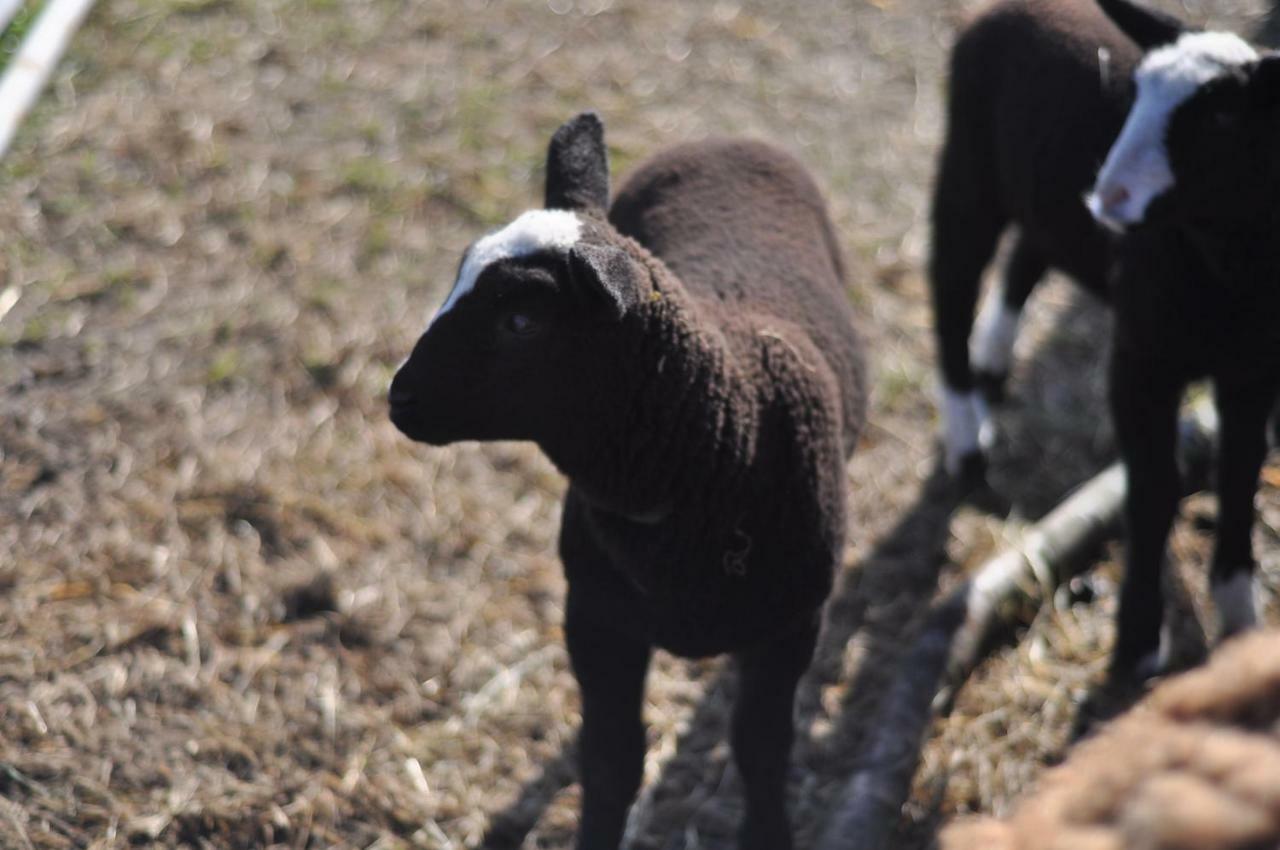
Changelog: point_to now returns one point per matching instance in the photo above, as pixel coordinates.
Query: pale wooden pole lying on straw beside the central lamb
(956, 634)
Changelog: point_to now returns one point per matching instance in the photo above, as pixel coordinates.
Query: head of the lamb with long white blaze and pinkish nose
(1201, 139)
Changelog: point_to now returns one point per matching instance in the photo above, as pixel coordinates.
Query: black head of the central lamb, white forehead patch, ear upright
(534, 313)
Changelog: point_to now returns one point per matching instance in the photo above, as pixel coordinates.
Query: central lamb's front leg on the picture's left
(611, 670)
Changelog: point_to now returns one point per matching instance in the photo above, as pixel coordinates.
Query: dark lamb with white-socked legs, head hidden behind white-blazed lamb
(1039, 92)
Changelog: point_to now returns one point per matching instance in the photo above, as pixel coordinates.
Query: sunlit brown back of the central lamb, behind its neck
(746, 230)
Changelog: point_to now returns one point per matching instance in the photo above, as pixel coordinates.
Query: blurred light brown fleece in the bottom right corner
(1195, 767)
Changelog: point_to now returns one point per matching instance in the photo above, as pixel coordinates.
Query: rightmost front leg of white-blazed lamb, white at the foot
(1244, 446)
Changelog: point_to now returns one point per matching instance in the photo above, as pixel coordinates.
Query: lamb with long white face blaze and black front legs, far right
(1194, 186)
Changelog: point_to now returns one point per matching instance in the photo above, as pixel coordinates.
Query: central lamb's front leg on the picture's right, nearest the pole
(764, 730)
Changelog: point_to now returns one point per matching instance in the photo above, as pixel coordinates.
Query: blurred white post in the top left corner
(35, 62)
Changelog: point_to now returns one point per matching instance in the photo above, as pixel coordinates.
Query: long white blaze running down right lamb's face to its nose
(1137, 168)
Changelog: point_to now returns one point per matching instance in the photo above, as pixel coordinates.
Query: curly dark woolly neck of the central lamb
(680, 415)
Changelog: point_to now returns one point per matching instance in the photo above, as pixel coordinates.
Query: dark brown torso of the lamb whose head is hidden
(1039, 92)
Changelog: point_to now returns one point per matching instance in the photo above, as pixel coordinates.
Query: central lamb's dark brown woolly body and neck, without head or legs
(742, 383)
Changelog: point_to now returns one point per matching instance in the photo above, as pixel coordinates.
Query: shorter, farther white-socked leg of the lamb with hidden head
(991, 350)
